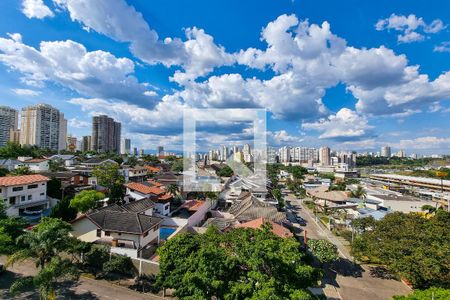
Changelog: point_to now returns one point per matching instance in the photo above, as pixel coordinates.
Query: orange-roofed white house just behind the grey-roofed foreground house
(144, 190)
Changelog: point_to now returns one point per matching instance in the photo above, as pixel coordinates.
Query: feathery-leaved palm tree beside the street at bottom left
(44, 244)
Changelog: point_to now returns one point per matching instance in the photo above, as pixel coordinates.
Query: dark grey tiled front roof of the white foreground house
(121, 221)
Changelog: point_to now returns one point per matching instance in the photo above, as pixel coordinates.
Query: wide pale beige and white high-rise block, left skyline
(44, 126)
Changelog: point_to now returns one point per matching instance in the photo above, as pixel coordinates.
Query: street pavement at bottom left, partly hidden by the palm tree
(85, 288)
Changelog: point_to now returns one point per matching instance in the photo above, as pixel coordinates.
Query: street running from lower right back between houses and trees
(348, 281)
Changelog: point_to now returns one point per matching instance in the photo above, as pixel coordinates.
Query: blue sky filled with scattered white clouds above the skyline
(353, 75)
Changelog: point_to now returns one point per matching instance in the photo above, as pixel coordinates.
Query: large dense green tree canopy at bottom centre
(239, 264)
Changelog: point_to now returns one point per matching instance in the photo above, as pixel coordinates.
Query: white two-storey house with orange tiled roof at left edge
(24, 195)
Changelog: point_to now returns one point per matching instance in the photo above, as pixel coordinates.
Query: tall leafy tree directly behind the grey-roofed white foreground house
(108, 175)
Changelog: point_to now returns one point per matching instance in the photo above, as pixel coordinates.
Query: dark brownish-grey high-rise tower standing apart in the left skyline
(105, 134)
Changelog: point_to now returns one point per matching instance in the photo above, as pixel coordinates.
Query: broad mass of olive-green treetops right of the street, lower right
(410, 245)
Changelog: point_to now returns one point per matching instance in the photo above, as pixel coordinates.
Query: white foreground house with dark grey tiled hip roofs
(128, 230)
